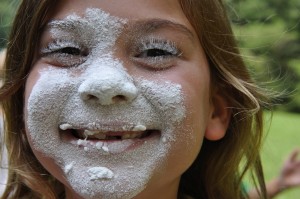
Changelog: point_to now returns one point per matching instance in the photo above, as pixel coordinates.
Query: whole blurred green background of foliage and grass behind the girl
(268, 32)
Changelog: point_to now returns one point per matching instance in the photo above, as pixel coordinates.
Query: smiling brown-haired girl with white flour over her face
(128, 99)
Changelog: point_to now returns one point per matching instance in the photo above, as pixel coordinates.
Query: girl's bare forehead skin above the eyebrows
(125, 9)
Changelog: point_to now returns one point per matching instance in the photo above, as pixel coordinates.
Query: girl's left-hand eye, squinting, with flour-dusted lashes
(63, 53)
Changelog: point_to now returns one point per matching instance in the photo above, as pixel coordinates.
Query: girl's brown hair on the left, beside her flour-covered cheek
(27, 178)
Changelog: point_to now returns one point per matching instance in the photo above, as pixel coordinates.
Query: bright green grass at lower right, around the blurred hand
(283, 136)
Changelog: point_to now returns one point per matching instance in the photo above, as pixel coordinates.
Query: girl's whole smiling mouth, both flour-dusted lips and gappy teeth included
(107, 136)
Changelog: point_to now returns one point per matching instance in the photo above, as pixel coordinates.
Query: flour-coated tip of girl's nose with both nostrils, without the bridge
(108, 89)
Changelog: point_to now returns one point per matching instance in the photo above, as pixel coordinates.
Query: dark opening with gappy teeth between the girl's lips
(139, 132)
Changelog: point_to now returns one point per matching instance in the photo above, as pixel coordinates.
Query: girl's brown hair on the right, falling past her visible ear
(218, 170)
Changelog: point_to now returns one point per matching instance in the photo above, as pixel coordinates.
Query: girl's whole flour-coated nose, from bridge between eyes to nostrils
(107, 82)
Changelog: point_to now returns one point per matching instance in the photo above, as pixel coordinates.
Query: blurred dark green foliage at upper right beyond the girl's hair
(268, 33)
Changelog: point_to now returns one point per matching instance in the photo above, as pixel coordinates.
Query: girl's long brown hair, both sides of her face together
(220, 166)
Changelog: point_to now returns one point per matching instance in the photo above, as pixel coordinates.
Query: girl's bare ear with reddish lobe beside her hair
(219, 118)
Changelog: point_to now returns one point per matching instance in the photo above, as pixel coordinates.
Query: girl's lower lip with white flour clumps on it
(107, 147)
